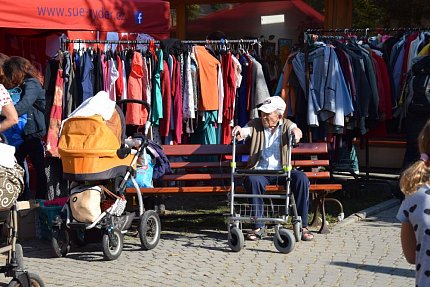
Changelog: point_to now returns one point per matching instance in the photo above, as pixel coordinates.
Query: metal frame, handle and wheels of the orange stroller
(112, 221)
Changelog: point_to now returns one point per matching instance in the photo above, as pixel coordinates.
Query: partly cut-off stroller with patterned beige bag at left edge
(11, 185)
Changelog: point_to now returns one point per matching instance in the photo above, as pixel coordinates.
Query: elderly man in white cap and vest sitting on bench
(268, 151)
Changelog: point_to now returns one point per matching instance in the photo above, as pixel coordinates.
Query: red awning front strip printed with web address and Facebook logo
(139, 16)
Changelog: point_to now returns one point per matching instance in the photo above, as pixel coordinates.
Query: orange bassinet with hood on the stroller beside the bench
(88, 148)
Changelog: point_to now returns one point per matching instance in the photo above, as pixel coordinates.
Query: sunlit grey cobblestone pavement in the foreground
(363, 253)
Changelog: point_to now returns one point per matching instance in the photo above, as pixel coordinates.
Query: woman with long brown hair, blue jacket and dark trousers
(19, 72)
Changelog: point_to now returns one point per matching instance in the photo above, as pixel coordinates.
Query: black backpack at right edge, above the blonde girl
(420, 101)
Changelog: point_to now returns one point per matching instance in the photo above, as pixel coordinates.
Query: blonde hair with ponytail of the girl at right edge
(418, 173)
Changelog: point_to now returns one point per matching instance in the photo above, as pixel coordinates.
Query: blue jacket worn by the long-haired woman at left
(33, 104)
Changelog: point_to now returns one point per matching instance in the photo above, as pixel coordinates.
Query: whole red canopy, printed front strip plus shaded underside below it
(27, 26)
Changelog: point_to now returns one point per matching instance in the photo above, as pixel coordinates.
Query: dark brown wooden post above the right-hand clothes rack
(338, 14)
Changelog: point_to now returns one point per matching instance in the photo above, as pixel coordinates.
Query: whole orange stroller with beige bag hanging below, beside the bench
(96, 160)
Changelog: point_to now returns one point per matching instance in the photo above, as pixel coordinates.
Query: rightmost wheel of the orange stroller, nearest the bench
(149, 229)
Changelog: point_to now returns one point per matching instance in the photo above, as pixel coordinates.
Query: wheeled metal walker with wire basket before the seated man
(276, 208)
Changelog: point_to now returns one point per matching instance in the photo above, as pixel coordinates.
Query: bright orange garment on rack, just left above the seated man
(208, 74)
